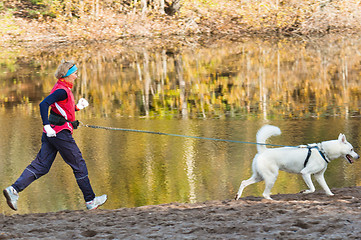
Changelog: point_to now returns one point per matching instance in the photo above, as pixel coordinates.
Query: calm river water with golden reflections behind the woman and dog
(310, 88)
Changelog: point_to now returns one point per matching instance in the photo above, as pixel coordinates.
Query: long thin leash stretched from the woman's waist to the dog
(178, 135)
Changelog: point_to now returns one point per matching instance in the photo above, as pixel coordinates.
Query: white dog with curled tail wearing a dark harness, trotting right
(305, 159)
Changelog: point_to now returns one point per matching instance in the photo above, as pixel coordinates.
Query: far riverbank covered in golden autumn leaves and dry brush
(196, 21)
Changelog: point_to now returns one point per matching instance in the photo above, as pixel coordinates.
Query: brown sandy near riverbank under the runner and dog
(289, 216)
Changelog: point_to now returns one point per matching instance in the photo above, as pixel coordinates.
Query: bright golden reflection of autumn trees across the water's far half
(285, 78)
